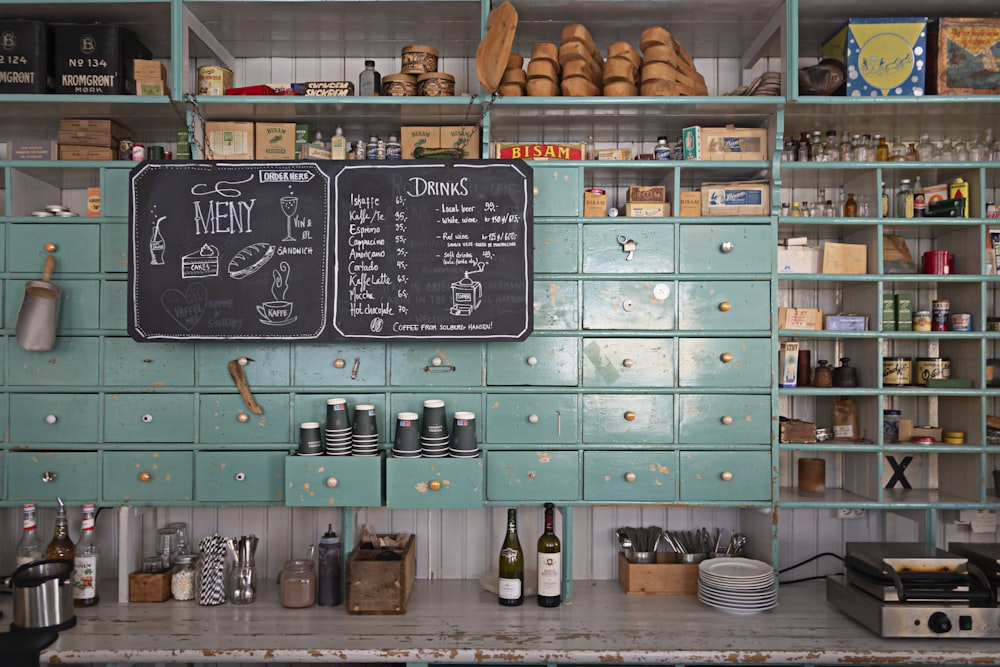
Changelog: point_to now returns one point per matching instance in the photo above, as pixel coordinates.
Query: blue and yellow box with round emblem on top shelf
(883, 56)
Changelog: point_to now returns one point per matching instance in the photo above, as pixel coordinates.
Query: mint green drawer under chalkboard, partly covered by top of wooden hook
(270, 365)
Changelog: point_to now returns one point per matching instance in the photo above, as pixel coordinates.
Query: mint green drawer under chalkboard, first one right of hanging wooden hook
(339, 365)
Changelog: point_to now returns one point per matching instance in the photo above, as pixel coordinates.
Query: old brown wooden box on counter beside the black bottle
(376, 586)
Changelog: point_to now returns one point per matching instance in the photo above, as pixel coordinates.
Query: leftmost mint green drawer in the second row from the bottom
(48, 418)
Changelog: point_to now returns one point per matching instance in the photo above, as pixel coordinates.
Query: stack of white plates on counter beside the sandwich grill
(737, 585)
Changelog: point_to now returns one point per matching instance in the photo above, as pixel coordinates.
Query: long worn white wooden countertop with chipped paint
(456, 621)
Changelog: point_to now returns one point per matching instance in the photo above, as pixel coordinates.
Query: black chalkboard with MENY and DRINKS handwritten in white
(330, 250)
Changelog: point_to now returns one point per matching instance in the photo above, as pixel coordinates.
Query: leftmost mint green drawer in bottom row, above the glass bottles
(45, 476)
